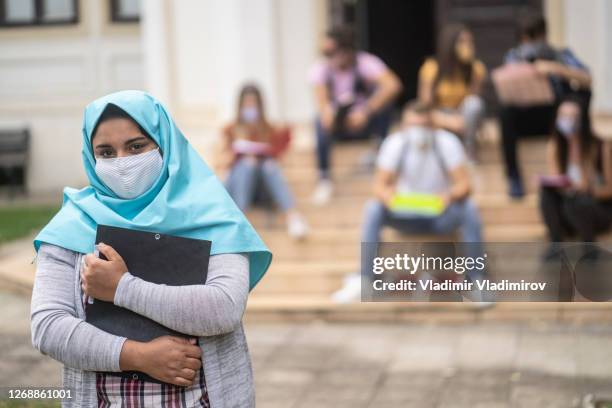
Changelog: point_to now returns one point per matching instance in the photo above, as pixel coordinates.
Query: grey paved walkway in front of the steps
(371, 365)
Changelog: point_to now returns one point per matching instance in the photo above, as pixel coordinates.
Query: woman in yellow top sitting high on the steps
(452, 81)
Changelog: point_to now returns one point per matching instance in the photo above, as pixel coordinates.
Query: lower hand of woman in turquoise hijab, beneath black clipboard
(170, 359)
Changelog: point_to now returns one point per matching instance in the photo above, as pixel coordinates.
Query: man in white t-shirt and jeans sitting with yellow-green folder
(419, 159)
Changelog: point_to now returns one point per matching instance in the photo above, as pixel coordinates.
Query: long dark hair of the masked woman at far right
(589, 144)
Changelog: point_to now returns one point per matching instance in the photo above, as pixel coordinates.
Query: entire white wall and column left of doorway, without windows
(192, 54)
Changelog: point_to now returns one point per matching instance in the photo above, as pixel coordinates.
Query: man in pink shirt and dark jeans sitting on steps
(353, 91)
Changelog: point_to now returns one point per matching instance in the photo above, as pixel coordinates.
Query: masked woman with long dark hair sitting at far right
(576, 197)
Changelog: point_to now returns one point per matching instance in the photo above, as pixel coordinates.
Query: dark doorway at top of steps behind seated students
(403, 32)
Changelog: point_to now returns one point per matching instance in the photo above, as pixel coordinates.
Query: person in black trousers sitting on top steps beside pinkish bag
(567, 75)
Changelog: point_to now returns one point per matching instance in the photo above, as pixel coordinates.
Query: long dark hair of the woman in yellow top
(446, 56)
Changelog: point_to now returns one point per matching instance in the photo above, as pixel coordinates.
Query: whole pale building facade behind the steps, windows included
(195, 54)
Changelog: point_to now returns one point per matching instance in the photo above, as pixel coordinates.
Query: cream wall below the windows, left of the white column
(49, 74)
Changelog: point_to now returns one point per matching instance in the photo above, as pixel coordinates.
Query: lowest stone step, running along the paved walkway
(295, 308)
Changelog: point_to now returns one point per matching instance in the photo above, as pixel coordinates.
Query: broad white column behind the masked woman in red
(220, 44)
